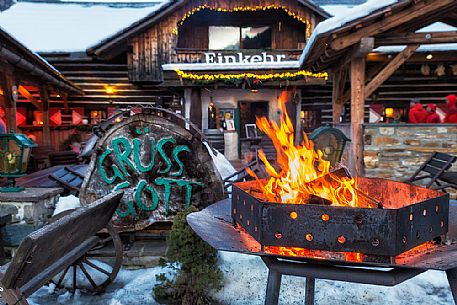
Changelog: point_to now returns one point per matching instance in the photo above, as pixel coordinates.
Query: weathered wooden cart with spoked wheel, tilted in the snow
(57, 247)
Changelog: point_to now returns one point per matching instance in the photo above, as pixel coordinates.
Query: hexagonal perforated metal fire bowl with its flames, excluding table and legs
(304, 205)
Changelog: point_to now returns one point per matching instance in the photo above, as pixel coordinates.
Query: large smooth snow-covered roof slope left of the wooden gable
(71, 26)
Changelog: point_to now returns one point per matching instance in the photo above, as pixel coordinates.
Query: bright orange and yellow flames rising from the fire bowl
(304, 172)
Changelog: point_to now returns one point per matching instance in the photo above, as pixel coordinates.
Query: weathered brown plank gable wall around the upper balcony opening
(157, 46)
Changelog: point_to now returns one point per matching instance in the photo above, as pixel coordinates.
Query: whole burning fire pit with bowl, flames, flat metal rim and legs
(308, 220)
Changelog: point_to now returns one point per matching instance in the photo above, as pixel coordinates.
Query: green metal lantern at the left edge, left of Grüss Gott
(15, 151)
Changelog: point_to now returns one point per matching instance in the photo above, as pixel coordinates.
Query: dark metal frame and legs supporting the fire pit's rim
(390, 278)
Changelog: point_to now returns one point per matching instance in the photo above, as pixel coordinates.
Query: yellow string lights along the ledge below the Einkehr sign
(262, 77)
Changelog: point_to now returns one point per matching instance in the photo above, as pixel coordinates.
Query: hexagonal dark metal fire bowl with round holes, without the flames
(410, 216)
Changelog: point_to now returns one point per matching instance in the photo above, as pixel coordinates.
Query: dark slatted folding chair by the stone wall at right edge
(433, 169)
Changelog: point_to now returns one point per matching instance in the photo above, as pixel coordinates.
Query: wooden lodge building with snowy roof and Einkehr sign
(221, 63)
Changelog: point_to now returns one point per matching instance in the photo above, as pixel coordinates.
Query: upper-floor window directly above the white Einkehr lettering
(235, 38)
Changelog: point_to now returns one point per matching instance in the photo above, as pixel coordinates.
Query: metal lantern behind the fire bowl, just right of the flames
(331, 141)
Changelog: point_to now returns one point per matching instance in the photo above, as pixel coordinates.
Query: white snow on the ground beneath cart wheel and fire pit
(245, 284)
